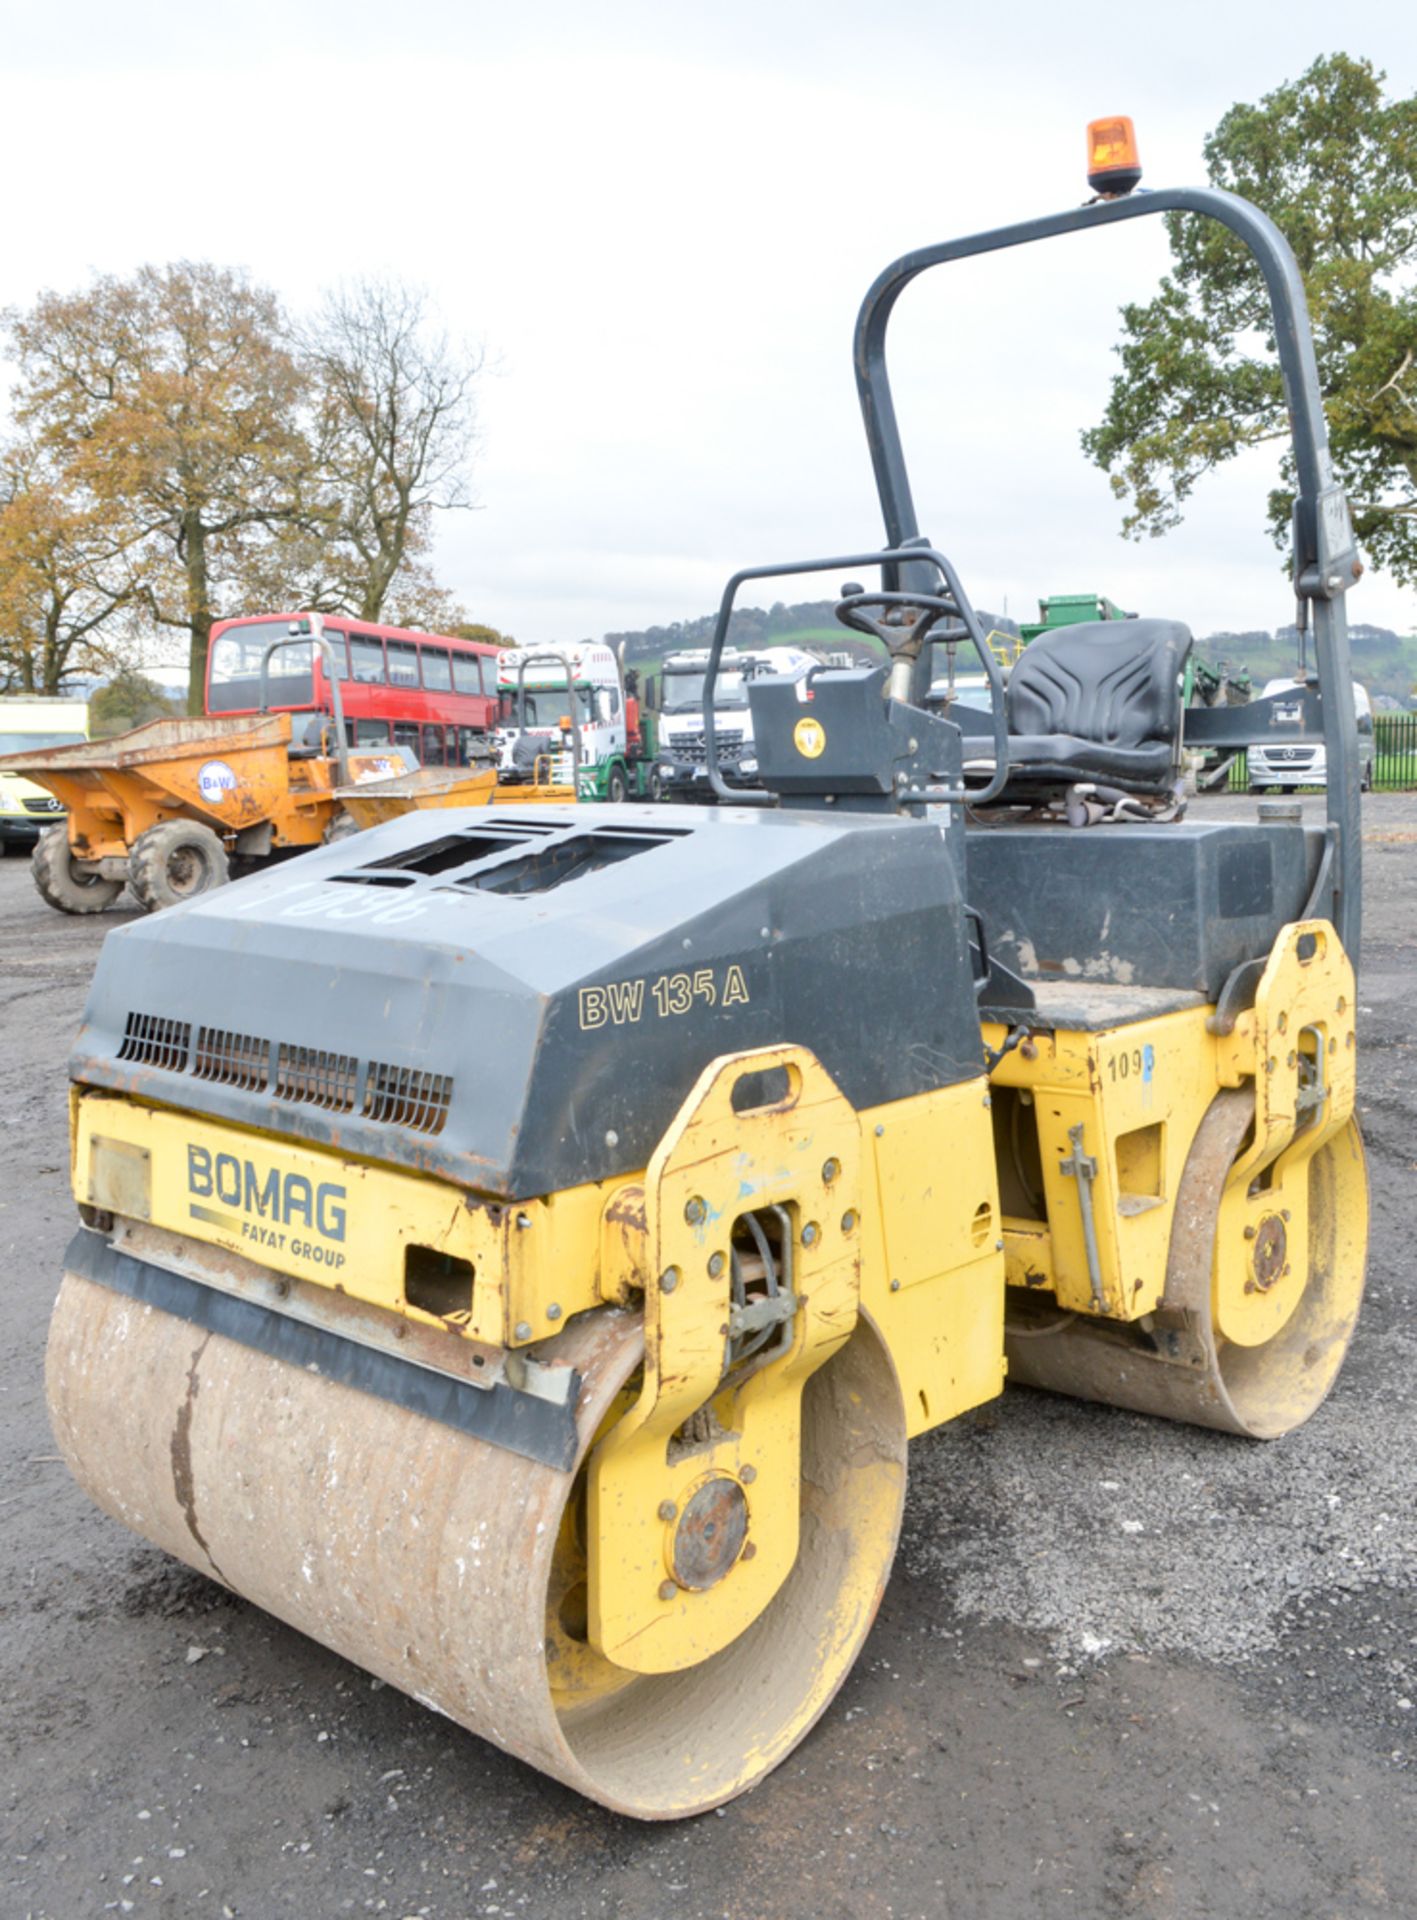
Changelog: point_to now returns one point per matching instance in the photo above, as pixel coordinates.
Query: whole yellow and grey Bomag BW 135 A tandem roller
(519, 1245)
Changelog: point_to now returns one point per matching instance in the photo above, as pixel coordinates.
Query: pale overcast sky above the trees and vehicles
(661, 222)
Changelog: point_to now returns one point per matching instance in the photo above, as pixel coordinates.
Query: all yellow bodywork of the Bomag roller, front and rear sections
(896, 1218)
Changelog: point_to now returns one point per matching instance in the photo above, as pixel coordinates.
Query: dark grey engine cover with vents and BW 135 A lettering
(523, 999)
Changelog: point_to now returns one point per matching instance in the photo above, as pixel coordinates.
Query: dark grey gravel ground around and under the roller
(1122, 1669)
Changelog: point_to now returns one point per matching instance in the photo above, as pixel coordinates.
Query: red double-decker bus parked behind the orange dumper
(425, 692)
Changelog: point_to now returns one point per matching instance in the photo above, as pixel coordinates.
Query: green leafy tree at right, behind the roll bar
(1335, 166)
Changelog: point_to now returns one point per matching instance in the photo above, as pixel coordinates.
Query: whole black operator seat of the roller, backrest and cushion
(1099, 702)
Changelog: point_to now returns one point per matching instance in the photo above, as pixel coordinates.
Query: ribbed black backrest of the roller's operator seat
(1113, 683)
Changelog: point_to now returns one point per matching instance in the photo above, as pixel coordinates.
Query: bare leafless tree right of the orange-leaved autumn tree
(395, 439)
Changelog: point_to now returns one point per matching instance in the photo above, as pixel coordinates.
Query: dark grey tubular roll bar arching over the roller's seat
(1326, 554)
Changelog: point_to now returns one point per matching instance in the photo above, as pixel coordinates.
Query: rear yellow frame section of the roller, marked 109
(1132, 1099)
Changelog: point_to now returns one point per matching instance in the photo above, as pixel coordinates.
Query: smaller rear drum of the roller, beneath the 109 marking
(1261, 1297)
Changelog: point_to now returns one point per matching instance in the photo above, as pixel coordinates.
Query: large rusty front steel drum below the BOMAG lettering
(456, 1570)
